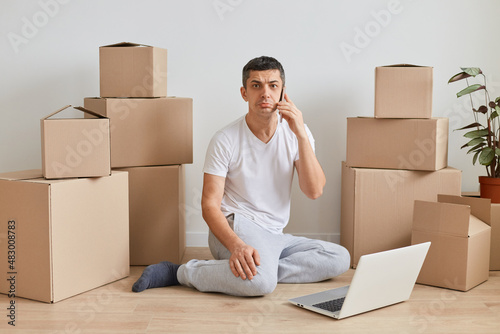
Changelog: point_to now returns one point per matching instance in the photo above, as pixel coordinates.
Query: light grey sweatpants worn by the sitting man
(284, 258)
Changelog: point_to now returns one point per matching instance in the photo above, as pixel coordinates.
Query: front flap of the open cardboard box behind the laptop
(442, 218)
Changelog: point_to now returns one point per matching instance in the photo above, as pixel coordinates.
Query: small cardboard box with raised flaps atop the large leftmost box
(75, 147)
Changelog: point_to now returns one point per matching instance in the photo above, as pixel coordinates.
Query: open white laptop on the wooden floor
(380, 279)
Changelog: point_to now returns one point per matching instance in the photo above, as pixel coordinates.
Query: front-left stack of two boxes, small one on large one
(68, 231)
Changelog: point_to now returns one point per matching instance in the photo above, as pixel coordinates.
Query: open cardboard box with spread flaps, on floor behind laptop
(459, 255)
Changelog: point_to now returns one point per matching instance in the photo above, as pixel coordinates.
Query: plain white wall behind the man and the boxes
(49, 59)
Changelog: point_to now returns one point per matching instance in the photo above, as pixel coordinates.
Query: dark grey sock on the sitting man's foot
(156, 276)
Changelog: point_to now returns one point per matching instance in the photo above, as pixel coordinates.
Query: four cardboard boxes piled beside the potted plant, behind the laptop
(397, 189)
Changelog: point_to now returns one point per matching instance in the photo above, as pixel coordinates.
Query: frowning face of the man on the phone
(263, 91)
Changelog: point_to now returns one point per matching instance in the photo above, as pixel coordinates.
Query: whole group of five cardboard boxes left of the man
(111, 189)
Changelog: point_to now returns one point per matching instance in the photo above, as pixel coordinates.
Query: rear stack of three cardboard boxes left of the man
(151, 138)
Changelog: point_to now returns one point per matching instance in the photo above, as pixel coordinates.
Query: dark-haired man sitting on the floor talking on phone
(247, 185)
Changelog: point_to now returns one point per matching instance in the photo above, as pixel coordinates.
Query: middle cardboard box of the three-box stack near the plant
(413, 144)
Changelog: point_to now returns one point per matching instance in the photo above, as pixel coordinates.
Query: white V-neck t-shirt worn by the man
(258, 175)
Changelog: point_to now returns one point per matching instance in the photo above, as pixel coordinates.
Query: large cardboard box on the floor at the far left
(69, 235)
